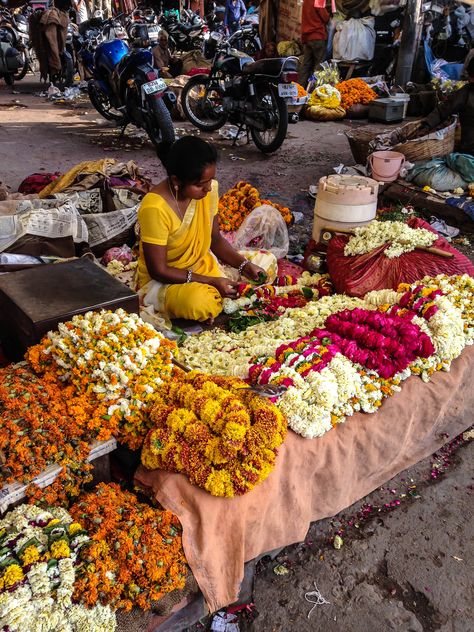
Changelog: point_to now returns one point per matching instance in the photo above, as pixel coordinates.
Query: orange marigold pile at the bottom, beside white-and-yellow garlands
(135, 555)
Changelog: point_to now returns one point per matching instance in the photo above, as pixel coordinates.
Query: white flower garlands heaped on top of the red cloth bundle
(398, 237)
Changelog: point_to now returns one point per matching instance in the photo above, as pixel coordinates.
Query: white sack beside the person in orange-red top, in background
(354, 40)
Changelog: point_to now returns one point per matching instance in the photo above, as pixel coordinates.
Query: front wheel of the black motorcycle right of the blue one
(203, 109)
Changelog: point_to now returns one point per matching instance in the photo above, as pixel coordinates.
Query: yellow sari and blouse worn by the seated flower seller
(188, 245)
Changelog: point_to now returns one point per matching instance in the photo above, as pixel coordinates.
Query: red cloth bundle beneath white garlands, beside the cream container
(357, 275)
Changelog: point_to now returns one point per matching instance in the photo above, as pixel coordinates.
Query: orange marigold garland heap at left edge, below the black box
(44, 422)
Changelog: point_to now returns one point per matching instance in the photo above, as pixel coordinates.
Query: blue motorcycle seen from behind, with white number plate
(127, 89)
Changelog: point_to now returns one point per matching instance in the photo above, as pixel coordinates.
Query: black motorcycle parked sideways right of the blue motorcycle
(244, 92)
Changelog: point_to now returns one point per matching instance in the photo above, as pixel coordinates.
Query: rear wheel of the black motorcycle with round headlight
(270, 104)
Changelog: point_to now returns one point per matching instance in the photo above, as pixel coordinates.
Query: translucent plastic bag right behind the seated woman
(264, 228)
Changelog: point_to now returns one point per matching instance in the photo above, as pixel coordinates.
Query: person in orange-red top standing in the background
(314, 35)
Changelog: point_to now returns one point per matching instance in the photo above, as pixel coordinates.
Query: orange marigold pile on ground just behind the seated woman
(240, 201)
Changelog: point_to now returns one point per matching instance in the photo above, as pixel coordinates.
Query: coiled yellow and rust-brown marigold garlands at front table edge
(217, 432)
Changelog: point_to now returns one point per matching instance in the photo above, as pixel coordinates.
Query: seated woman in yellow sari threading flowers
(180, 241)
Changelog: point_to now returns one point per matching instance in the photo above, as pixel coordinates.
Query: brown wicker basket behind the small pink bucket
(433, 145)
